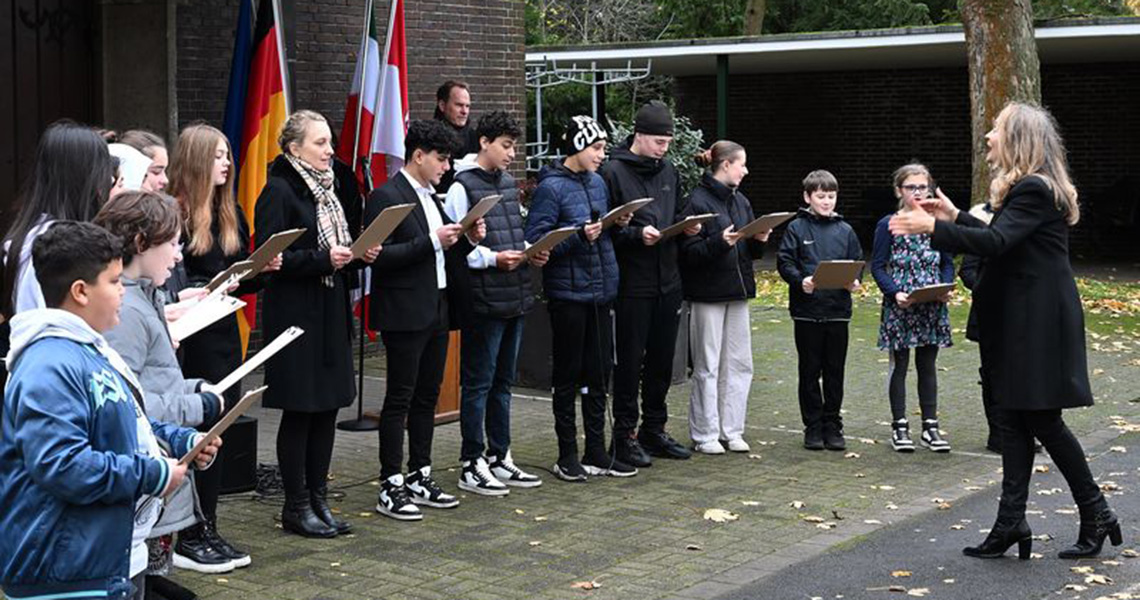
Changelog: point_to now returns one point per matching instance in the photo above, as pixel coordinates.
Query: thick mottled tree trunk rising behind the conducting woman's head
(1004, 68)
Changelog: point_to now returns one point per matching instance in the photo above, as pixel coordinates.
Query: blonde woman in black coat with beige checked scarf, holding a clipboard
(312, 379)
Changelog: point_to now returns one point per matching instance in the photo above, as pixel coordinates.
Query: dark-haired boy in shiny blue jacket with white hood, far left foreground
(77, 449)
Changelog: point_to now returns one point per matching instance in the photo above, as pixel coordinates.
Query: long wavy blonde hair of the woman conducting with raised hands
(1031, 145)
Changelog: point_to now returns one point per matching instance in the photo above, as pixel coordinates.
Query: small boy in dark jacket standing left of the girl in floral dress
(821, 317)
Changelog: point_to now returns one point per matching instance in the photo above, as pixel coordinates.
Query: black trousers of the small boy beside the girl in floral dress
(823, 350)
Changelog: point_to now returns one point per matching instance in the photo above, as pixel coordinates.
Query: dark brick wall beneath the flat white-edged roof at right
(861, 126)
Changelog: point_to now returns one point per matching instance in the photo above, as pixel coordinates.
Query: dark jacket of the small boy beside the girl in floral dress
(810, 240)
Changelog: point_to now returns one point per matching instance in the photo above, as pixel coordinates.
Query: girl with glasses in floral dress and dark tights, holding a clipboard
(900, 266)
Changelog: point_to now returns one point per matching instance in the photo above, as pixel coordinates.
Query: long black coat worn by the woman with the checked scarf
(315, 372)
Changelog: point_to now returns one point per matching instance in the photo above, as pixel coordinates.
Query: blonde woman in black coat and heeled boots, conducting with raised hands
(1031, 325)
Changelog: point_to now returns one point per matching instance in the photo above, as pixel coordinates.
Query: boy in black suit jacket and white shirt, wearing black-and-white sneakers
(421, 272)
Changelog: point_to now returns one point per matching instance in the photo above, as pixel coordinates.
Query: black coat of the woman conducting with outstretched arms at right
(1031, 325)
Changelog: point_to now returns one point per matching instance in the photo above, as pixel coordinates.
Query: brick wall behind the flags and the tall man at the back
(481, 42)
